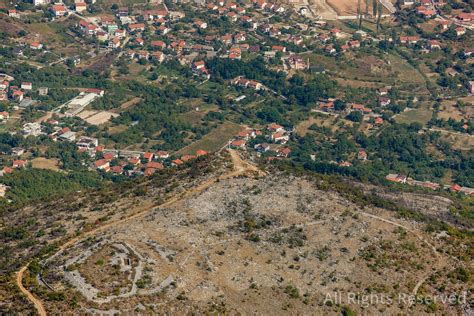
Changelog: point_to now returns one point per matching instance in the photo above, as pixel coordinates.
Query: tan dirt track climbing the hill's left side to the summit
(241, 167)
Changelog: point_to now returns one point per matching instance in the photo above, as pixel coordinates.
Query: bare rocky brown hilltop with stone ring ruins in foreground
(274, 245)
